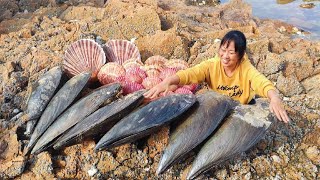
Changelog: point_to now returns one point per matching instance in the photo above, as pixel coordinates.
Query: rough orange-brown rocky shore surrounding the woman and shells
(34, 41)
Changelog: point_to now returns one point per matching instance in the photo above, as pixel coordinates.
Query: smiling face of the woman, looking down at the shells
(228, 56)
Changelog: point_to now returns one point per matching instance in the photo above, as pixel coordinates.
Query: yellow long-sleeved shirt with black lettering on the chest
(245, 82)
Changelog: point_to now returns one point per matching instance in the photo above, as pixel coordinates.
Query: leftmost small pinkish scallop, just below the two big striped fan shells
(111, 72)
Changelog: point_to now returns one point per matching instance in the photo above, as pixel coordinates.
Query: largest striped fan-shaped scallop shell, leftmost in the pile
(83, 55)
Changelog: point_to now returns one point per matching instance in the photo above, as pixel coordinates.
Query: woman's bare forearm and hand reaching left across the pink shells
(166, 85)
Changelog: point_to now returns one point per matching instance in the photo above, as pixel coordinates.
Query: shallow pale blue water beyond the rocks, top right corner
(289, 11)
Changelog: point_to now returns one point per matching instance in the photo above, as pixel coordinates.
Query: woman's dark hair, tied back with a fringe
(239, 40)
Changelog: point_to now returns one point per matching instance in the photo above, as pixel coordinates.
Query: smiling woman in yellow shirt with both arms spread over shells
(229, 73)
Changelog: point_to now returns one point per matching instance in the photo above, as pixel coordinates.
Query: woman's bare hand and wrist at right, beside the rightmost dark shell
(276, 106)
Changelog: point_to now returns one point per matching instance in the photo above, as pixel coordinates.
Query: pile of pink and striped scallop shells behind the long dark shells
(120, 61)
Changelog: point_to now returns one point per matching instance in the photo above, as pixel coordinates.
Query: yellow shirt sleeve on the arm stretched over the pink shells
(195, 74)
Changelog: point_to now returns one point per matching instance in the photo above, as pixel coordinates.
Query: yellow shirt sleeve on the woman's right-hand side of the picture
(259, 83)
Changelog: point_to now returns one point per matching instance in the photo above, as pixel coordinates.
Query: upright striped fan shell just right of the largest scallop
(121, 51)
